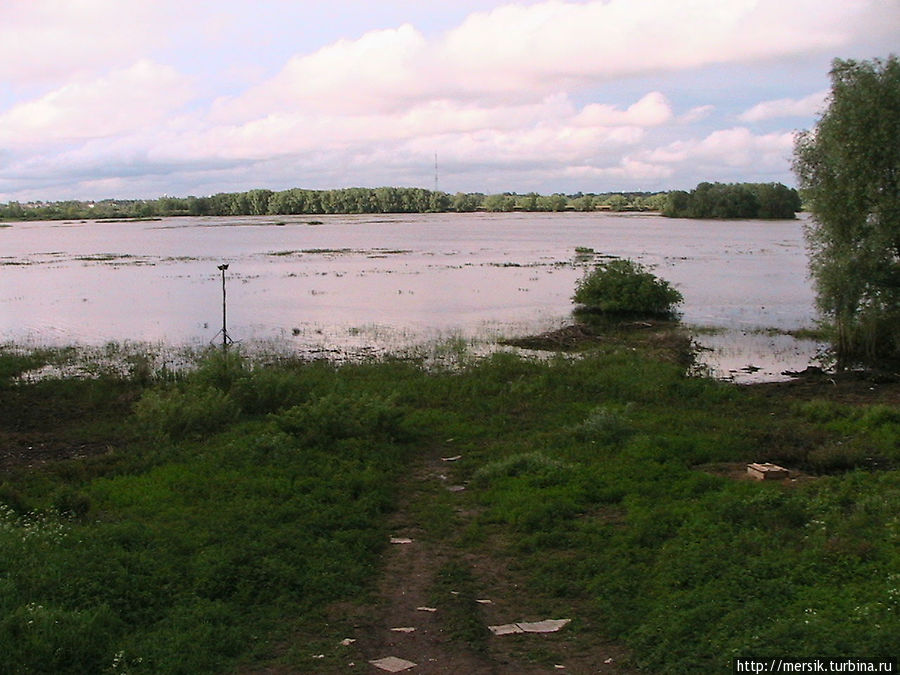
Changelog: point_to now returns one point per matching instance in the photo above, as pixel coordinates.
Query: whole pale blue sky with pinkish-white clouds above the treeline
(144, 98)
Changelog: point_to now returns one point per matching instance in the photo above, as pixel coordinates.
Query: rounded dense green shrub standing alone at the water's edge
(625, 287)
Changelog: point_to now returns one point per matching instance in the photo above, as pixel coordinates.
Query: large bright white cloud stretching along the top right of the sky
(518, 53)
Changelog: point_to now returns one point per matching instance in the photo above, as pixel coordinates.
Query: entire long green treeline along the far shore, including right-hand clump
(298, 201)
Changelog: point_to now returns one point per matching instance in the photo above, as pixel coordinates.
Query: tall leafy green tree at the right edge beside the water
(849, 167)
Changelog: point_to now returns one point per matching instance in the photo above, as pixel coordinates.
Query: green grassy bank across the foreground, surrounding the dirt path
(199, 523)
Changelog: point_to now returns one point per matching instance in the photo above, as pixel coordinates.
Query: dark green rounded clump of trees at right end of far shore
(734, 200)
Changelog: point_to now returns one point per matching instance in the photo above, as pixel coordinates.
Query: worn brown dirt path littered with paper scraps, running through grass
(454, 637)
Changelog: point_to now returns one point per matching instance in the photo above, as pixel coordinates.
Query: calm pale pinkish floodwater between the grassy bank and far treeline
(388, 282)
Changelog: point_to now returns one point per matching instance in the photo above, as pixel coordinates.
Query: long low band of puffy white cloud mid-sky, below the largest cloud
(552, 130)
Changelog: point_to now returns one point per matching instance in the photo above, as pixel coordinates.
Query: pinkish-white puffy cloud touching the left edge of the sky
(124, 101)
